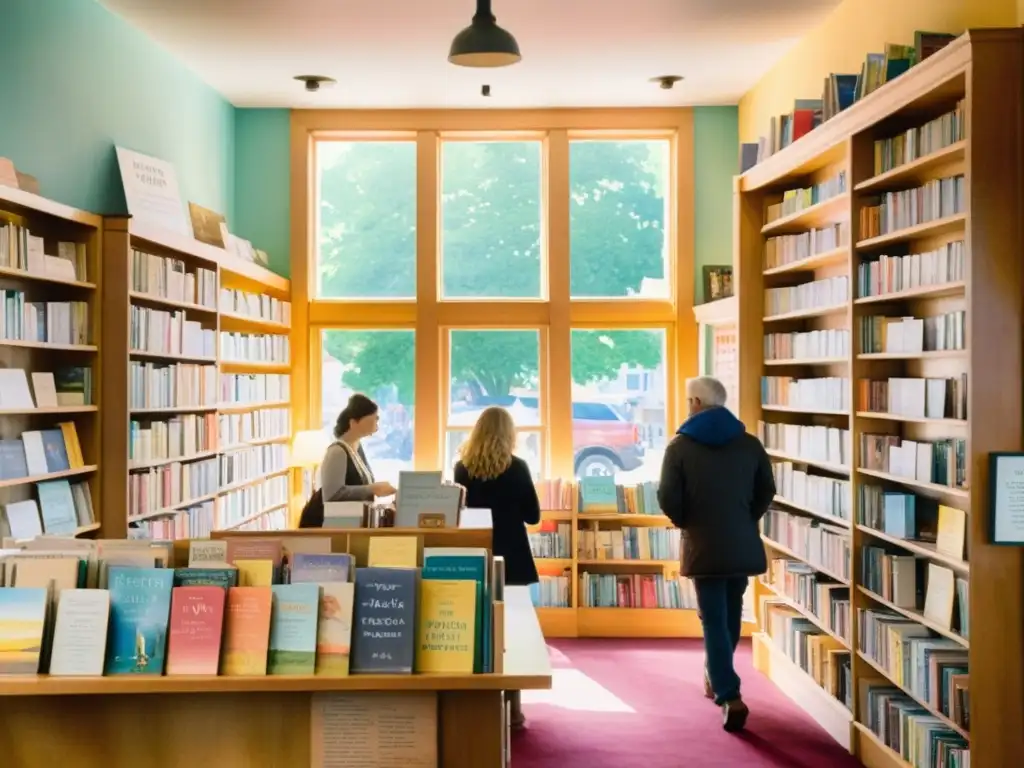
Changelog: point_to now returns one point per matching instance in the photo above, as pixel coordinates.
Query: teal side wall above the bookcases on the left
(77, 80)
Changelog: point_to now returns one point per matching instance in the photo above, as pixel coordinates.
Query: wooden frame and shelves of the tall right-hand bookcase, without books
(983, 71)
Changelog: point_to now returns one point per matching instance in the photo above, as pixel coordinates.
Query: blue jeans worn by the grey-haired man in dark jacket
(721, 605)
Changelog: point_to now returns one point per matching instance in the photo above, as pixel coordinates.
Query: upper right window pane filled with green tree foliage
(618, 219)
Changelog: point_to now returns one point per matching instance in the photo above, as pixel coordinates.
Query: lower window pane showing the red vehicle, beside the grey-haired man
(619, 404)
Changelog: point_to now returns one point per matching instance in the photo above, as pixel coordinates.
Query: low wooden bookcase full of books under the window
(574, 548)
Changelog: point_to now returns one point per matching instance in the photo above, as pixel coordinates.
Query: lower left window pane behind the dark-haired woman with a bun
(381, 365)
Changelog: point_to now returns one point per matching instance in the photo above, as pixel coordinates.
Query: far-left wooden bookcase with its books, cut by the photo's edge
(24, 218)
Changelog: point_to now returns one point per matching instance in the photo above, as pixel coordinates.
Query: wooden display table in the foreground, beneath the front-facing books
(259, 722)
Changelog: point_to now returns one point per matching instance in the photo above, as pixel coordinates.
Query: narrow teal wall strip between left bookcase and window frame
(263, 176)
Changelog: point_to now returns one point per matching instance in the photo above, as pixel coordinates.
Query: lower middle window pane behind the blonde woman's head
(495, 368)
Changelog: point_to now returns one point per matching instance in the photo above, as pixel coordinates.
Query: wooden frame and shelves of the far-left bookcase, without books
(55, 224)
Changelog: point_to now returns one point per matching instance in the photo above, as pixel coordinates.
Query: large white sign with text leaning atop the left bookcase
(152, 192)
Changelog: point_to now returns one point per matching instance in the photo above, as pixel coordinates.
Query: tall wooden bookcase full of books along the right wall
(813, 308)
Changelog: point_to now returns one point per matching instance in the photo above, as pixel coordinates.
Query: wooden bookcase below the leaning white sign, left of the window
(209, 506)
